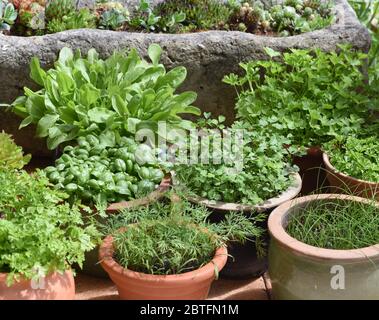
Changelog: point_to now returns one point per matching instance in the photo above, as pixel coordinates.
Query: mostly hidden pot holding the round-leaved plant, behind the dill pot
(91, 265)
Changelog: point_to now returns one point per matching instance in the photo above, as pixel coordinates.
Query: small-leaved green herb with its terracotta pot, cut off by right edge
(352, 165)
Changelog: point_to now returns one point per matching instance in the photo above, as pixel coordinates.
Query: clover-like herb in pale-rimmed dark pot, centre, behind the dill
(257, 180)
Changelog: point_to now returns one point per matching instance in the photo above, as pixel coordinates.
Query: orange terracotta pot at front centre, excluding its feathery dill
(132, 285)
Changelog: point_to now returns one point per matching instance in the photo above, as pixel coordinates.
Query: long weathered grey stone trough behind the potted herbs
(208, 56)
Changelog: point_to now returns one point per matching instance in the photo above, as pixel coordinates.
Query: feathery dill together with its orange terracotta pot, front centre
(167, 250)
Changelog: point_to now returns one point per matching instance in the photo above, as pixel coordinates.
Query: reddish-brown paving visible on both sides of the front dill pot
(91, 288)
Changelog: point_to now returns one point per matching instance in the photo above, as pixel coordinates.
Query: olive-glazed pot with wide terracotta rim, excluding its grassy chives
(300, 271)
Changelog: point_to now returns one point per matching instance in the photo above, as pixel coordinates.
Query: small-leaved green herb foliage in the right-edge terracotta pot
(356, 157)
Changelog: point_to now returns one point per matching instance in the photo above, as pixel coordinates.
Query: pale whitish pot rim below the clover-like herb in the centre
(286, 195)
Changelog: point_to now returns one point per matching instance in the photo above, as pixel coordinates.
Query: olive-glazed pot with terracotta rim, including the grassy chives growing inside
(325, 247)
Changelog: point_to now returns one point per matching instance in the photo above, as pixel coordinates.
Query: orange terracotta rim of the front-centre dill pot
(106, 253)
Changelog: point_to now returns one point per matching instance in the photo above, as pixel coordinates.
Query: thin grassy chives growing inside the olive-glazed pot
(336, 224)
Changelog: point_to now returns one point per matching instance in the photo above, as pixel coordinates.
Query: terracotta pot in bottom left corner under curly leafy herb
(55, 286)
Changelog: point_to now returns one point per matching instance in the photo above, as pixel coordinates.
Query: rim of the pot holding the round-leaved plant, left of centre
(152, 197)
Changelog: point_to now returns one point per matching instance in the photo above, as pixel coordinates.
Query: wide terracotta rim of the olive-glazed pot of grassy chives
(277, 231)
